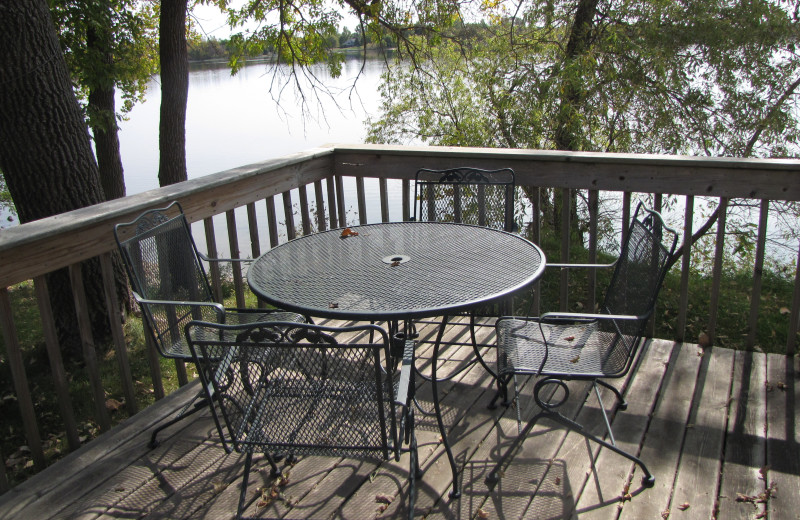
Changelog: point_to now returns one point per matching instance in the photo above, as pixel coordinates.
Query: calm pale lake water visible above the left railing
(236, 120)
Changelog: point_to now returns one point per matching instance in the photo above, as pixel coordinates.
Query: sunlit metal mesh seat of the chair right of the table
(580, 350)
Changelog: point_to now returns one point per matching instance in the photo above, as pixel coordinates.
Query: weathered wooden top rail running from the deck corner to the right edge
(773, 179)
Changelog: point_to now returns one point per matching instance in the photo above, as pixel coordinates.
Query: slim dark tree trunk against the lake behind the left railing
(174, 92)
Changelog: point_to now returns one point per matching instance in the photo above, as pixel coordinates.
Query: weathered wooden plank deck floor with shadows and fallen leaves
(718, 429)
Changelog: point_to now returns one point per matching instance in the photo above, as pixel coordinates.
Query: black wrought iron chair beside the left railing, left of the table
(170, 285)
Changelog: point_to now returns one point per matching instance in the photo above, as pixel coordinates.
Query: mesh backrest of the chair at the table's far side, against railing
(466, 195)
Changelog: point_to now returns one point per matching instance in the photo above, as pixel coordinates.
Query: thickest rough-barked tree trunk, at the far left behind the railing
(45, 150)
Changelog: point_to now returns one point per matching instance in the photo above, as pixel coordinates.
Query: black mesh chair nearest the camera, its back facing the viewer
(306, 389)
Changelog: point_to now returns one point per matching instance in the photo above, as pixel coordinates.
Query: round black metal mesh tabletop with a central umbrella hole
(401, 270)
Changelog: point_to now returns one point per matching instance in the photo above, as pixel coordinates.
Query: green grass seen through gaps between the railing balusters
(731, 332)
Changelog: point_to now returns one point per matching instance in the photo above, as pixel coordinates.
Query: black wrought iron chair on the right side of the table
(561, 347)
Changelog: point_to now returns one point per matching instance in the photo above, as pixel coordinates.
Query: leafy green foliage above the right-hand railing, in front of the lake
(652, 76)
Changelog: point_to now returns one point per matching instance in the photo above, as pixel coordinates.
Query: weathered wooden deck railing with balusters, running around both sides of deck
(314, 182)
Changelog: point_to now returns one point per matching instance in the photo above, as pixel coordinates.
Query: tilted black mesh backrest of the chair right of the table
(640, 271)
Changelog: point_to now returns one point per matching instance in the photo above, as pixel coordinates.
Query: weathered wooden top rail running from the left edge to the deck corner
(54, 242)
